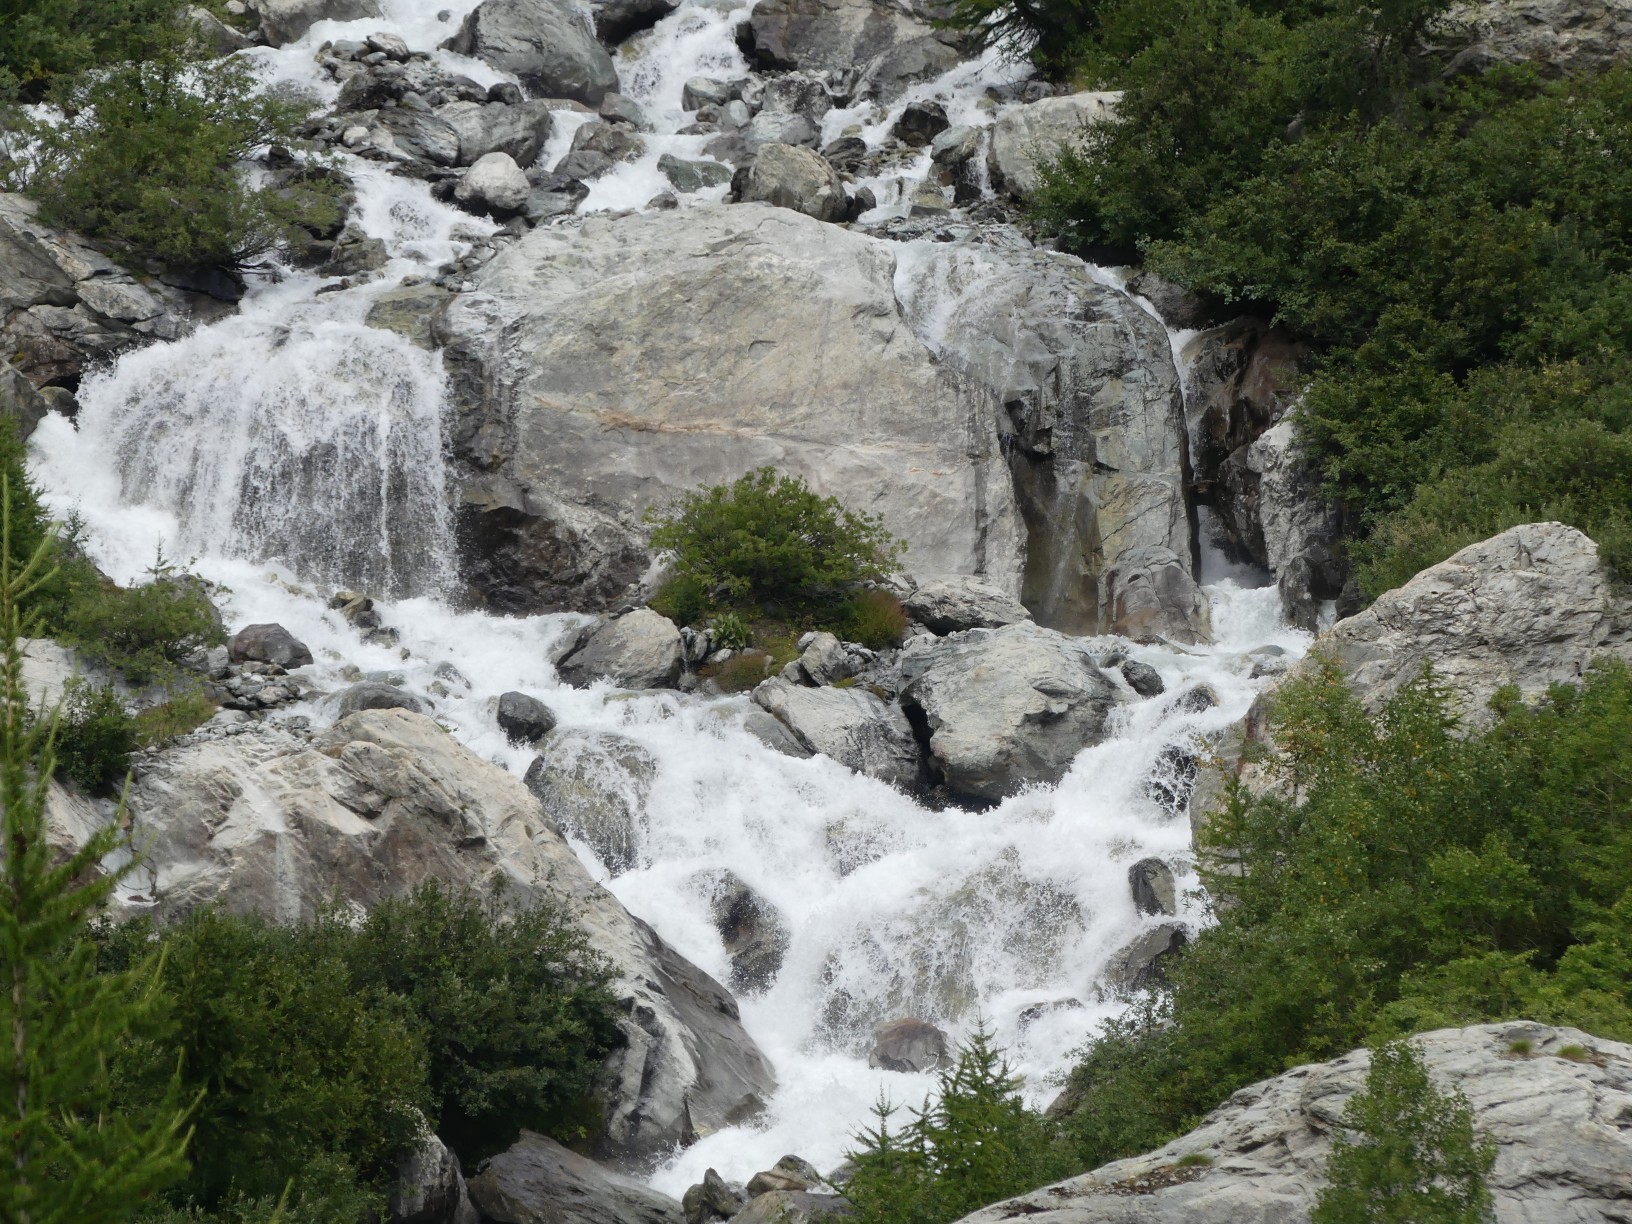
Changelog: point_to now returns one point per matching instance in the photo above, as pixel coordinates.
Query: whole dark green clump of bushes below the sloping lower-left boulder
(319, 1050)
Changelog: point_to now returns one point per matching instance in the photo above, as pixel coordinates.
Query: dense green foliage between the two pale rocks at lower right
(1427, 879)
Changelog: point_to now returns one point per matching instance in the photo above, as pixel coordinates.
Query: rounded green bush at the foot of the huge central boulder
(769, 541)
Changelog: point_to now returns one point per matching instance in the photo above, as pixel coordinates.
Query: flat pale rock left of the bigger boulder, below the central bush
(848, 725)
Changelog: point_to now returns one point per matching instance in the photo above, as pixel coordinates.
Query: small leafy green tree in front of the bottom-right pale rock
(1408, 1153)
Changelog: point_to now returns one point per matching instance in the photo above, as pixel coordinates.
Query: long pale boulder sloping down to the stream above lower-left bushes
(386, 800)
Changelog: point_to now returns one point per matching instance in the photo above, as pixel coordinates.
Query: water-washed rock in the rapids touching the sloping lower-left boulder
(595, 786)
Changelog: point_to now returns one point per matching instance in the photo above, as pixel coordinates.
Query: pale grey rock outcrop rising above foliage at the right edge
(1532, 606)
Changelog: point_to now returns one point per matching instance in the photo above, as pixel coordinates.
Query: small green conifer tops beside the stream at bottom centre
(973, 1145)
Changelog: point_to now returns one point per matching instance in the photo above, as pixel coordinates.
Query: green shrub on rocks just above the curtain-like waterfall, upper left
(148, 162)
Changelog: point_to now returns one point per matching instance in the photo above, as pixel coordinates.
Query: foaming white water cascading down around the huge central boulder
(295, 450)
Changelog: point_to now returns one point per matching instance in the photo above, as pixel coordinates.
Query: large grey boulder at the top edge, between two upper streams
(543, 45)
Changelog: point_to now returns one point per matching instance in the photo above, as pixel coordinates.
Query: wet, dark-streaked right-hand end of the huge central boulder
(1091, 401)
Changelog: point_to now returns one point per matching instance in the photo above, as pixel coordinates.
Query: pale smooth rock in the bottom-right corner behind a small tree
(1564, 1150)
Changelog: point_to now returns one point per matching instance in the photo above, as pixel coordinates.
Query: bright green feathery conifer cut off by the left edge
(66, 1155)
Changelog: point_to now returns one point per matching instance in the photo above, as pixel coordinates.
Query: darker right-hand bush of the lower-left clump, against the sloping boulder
(513, 1011)
